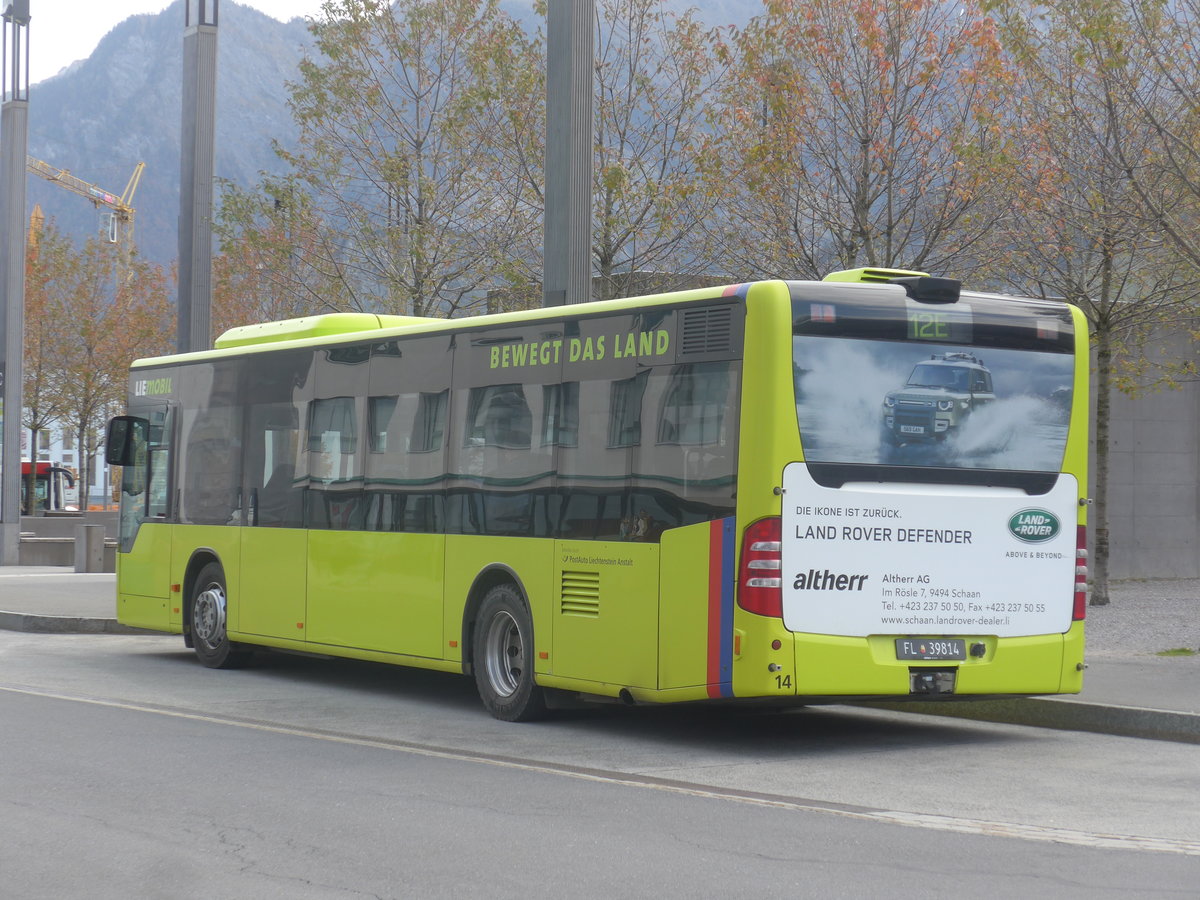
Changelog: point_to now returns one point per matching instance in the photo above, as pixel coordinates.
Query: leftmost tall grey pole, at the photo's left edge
(14, 145)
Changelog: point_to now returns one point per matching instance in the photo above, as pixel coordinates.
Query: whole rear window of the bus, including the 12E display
(904, 392)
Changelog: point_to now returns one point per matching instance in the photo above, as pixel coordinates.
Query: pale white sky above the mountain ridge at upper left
(62, 32)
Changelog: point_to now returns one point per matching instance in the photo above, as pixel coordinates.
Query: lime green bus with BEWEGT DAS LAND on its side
(863, 488)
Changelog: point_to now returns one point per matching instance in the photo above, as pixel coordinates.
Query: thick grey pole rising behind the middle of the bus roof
(569, 89)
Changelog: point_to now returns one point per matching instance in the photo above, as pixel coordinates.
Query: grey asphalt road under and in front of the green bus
(127, 770)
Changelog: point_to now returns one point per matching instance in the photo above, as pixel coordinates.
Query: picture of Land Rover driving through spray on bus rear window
(932, 405)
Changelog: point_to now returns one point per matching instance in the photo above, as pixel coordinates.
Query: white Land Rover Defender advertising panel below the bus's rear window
(927, 560)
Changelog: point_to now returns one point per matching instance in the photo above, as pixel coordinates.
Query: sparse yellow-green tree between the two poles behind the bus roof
(404, 203)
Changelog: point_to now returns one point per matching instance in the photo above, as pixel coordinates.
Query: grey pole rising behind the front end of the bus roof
(197, 159)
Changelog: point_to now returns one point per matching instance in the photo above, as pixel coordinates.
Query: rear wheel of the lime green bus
(503, 658)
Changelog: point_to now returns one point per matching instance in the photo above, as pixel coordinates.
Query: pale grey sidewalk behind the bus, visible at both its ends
(1129, 688)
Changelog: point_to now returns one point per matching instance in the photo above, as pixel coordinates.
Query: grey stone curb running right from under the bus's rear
(1065, 716)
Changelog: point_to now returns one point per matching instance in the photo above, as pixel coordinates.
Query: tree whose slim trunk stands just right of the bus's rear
(1076, 231)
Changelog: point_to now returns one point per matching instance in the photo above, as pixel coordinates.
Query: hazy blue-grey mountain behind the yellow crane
(122, 105)
